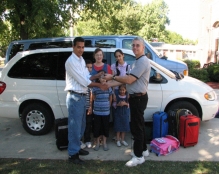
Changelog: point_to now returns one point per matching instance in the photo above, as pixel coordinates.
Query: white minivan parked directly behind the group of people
(32, 88)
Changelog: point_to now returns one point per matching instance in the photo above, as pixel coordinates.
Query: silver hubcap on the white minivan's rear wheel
(35, 120)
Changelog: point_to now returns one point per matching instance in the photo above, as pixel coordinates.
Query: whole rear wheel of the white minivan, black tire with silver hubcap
(37, 119)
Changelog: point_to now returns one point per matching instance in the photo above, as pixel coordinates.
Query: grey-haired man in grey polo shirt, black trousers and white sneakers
(137, 86)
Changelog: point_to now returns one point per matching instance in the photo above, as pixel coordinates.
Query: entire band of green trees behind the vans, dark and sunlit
(25, 19)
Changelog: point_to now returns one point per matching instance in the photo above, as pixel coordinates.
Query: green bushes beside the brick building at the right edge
(211, 73)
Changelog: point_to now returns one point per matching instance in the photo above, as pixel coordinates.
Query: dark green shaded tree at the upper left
(27, 19)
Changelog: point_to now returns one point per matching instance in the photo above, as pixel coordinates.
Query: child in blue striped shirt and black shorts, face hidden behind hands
(102, 102)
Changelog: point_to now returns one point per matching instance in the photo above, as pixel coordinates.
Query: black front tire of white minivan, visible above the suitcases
(184, 105)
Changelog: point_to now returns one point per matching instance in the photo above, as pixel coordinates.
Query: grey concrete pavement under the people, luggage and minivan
(16, 143)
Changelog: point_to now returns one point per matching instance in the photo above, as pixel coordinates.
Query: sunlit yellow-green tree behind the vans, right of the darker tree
(124, 17)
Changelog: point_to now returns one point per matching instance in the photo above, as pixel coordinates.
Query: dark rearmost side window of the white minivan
(35, 66)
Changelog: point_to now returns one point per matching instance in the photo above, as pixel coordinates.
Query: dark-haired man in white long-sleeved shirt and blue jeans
(77, 82)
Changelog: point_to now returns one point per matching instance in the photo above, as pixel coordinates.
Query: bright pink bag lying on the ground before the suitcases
(165, 145)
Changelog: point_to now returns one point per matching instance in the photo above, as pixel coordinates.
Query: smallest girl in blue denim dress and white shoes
(121, 119)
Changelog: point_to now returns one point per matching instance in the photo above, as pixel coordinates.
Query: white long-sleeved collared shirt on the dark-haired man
(77, 74)
